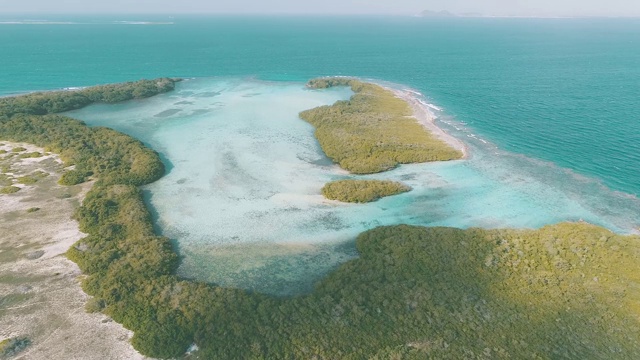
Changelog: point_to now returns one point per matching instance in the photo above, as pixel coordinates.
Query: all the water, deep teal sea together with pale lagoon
(548, 108)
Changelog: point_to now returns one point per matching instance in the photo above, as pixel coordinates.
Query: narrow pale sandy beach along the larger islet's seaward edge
(426, 118)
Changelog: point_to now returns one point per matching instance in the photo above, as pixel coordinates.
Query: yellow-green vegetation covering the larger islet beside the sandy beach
(373, 131)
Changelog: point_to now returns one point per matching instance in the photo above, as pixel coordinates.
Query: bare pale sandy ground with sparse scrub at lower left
(43, 300)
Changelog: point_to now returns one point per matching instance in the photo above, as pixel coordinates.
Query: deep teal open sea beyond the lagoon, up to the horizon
(560, 90)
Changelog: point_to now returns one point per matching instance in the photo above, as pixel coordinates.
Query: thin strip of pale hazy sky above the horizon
(396, 7)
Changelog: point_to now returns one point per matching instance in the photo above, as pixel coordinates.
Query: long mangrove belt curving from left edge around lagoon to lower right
(564, 291)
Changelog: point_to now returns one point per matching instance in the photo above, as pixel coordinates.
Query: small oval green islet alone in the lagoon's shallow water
(362, 191)
